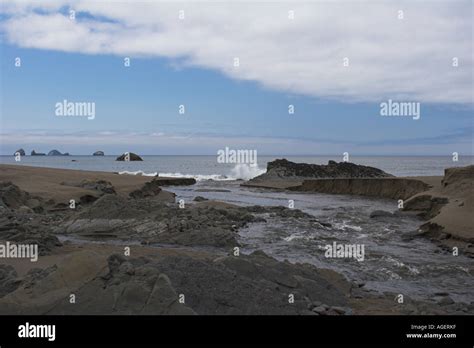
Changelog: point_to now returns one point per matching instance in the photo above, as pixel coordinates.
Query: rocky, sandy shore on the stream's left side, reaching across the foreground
(128, 247)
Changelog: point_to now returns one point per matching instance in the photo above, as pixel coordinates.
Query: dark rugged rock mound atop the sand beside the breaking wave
(284, 169)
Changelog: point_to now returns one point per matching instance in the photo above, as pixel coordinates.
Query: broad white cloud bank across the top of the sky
(409, 59)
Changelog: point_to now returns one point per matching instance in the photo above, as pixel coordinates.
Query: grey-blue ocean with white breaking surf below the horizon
(207, 167)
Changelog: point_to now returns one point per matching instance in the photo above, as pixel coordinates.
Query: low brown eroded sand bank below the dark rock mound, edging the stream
(393, 188)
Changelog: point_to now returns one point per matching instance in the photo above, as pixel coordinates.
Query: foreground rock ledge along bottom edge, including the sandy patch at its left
(176, 285)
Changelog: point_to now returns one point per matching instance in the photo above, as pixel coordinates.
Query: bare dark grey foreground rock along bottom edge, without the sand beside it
(248, 284)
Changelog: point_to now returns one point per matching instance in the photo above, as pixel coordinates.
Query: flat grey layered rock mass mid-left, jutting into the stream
(151, 221)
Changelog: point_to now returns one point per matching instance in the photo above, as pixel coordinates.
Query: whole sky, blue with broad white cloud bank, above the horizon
(335, 62)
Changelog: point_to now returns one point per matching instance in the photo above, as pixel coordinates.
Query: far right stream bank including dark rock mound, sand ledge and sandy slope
(446, 203)
